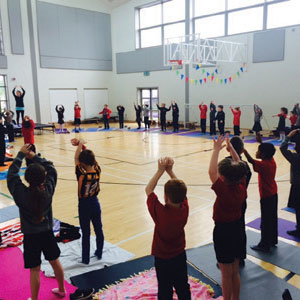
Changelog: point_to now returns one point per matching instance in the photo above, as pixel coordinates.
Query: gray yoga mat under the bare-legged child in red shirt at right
(256, 283)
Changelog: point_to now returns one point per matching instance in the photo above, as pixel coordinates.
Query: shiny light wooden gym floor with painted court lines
(128, 160)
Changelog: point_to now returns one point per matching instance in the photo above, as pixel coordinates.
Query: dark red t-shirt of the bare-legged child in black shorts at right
(229, 202)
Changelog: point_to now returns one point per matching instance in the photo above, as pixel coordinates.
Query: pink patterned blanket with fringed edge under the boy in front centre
(144, 286)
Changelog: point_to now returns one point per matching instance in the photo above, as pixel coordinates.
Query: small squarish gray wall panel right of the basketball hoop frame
(268, 46)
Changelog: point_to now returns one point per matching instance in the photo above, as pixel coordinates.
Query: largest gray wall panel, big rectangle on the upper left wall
(72, 38)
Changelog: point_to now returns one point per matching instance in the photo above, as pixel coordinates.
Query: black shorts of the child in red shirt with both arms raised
(228, 241)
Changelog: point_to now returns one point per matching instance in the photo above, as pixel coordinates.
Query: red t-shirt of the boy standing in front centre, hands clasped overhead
(169, 236)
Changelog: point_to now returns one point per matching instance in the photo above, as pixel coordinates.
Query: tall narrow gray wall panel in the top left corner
(15, 25)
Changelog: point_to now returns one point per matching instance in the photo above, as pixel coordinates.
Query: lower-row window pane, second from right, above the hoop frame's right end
(245, 20)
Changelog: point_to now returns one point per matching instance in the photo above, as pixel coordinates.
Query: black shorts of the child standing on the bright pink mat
(35, 245)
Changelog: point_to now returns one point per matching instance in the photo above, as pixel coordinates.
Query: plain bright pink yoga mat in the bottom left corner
(14, 279)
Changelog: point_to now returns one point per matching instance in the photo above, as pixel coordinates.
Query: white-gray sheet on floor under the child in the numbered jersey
(71, 258)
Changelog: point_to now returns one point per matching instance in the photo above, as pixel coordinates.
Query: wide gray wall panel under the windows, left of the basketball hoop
(147, 59)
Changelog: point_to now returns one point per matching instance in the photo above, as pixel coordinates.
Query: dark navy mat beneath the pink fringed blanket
(100, 278)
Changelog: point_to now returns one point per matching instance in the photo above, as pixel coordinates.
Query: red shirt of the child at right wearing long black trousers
(266, 170)
